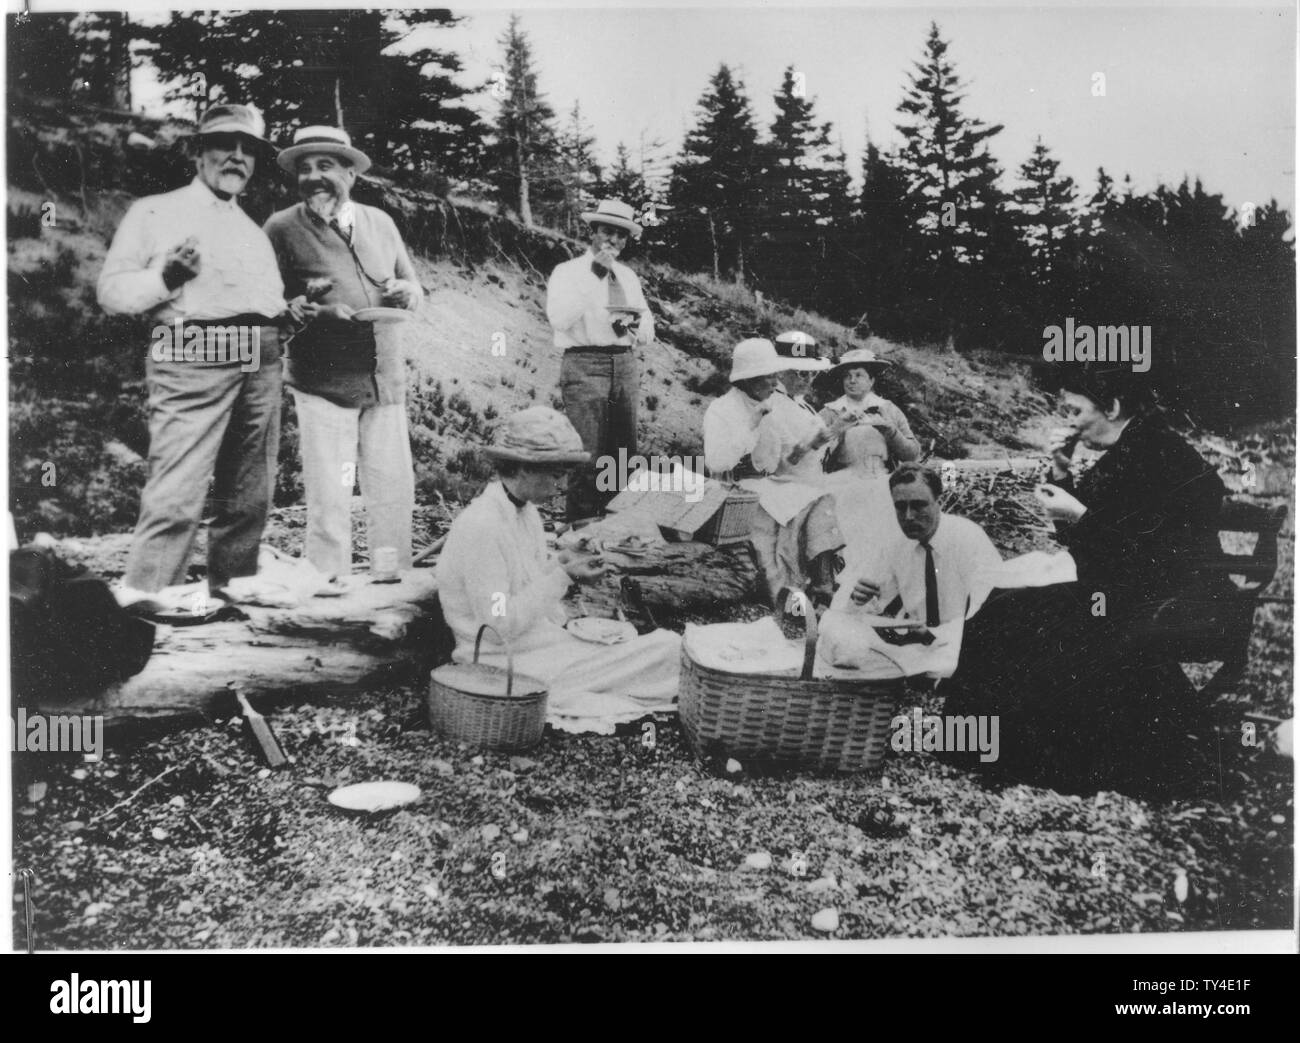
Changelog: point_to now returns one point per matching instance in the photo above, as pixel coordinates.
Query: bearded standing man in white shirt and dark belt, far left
(194, 263)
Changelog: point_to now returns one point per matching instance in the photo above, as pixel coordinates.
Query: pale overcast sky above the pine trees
(1195, 90)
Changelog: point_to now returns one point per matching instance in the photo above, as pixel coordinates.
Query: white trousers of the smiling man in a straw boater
(340, 447)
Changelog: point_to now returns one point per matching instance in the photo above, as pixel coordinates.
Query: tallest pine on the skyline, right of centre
(952, 178)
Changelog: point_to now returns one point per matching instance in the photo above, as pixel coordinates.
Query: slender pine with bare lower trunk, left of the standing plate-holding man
(527, 152)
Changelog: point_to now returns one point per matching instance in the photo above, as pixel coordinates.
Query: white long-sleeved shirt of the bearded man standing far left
(237, 266)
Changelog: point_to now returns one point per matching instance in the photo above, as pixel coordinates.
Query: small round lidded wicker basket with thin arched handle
(479, 704)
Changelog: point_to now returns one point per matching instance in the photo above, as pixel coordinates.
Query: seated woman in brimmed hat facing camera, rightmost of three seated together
(878, 440)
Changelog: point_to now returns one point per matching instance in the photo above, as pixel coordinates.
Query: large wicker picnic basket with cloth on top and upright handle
(822, 724)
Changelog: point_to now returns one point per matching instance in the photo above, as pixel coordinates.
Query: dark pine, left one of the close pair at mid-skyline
(717, 183)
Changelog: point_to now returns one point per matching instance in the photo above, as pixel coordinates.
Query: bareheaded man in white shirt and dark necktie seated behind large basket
(928, 570)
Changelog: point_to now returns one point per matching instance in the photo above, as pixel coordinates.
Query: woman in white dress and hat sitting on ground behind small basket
(496, 569)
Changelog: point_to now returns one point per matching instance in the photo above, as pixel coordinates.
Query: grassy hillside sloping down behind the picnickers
(480, 348)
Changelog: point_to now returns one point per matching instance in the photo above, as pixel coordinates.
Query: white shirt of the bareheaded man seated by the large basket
(961, 549)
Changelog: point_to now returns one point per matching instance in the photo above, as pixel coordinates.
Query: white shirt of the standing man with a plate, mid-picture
(578, 304)
